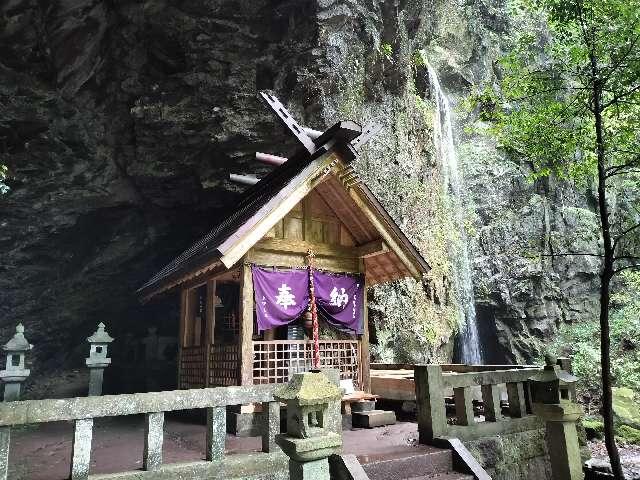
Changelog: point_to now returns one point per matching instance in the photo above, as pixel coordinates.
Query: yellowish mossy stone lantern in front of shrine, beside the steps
(309, 439)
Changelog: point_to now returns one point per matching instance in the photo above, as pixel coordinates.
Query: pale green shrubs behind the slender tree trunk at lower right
(582, 342)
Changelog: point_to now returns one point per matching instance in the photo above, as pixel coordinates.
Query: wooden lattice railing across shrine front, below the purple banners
(275, 361)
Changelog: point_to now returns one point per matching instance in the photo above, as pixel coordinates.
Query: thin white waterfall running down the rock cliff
(469, 339)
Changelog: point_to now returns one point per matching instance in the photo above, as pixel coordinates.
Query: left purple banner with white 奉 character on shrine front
(281, 296)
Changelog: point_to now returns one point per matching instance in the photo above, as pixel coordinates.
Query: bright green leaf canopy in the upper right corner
(543, 111)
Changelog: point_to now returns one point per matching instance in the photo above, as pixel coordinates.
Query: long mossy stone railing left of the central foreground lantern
(83, 411)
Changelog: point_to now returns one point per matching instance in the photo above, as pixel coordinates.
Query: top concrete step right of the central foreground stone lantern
(401, 466)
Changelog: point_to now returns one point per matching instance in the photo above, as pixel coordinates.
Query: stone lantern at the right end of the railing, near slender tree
(552, 400)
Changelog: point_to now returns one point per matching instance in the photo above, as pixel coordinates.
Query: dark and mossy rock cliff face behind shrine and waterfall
(120, 122)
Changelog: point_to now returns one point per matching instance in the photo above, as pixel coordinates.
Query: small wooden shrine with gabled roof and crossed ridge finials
(310, 201)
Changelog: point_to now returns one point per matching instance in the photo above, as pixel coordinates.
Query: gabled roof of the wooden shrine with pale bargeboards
(273, 197)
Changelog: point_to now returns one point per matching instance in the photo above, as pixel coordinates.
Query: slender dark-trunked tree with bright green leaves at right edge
(569, 103)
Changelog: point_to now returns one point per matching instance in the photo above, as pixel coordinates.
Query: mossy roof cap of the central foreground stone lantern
(313, 388)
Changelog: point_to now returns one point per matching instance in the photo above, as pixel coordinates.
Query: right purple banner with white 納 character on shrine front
(340, 297)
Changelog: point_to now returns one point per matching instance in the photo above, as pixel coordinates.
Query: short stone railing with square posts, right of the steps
(435, 382)
